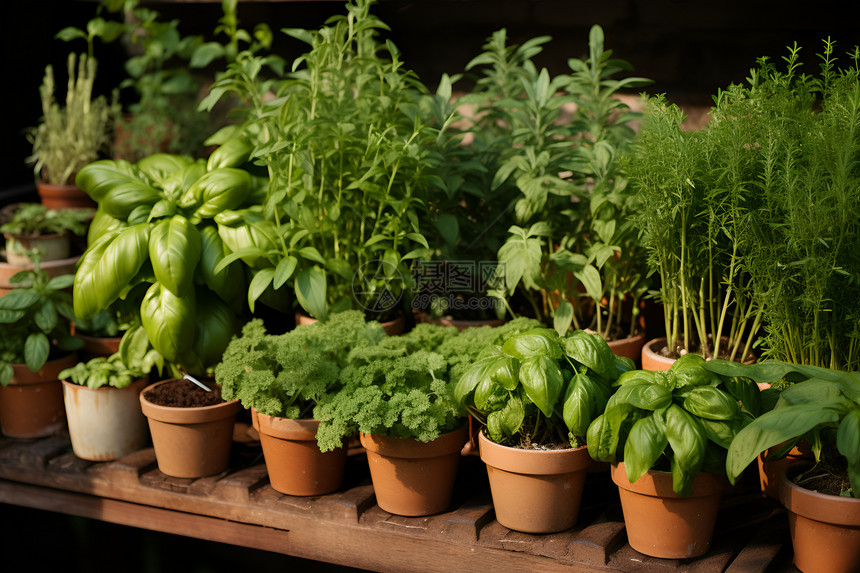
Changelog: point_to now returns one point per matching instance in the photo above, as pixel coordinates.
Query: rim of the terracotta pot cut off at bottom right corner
(822, 507)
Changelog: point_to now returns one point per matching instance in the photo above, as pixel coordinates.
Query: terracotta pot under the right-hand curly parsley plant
(412, 478)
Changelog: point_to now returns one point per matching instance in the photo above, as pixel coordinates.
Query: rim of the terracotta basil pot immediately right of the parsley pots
(533, 462)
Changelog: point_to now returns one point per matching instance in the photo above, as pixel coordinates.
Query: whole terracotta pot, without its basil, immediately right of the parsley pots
(535, 491)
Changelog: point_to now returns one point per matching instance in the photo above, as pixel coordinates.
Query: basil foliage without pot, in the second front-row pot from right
(682, 421)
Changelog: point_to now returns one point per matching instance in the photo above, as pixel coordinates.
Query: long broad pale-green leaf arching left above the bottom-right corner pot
(773, 428)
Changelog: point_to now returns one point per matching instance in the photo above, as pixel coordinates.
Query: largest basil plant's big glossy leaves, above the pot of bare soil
(154, 237)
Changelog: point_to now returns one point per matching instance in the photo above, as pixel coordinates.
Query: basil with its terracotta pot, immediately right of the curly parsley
(535, 394)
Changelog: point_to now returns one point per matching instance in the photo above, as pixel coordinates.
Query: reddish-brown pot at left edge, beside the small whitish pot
(31, 406)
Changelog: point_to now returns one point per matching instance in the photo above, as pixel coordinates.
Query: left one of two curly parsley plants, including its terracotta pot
(280, 378)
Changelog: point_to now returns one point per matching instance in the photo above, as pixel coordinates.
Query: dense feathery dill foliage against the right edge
(805, 260)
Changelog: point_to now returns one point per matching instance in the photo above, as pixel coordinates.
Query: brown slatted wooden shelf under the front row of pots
(239, 507)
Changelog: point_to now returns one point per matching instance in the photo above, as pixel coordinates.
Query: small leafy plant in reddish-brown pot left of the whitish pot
(35, 345)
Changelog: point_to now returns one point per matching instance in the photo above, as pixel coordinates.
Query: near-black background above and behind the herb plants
(689, 48)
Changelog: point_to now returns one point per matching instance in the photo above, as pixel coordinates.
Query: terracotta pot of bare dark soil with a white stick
(192, 428)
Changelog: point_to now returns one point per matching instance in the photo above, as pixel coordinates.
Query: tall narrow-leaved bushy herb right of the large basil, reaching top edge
(344, 147)
